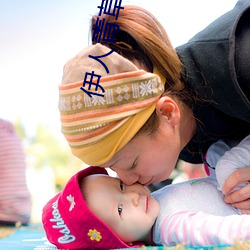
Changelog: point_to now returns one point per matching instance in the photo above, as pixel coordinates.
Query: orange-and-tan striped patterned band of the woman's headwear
(87, 120)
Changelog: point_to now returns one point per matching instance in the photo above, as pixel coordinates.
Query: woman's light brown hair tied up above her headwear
(143, 39)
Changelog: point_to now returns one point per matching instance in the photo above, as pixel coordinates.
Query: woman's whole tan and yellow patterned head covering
(99, 126)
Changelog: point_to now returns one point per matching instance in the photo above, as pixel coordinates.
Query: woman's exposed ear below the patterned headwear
(168, 109)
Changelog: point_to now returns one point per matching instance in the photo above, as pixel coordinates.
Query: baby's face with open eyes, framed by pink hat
(130, 211)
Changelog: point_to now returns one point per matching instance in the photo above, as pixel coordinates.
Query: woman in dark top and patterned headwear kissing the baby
(205, 98)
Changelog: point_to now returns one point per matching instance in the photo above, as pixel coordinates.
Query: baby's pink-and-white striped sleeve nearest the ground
(201, 229)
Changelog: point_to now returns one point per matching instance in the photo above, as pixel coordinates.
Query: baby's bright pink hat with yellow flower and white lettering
(69, 223)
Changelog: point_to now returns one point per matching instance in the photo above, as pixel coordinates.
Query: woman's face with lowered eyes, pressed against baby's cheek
(147, 159)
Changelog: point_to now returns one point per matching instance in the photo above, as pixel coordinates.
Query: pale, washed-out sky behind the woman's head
(38, 37)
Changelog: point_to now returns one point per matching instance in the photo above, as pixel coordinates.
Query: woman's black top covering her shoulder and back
(217, 66)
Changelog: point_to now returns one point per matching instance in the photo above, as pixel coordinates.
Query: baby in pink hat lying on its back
(96, 211)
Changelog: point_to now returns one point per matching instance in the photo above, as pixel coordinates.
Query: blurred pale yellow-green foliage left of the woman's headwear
(45, 150)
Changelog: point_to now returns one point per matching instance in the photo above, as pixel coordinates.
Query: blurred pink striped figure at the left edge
(15, 200)
